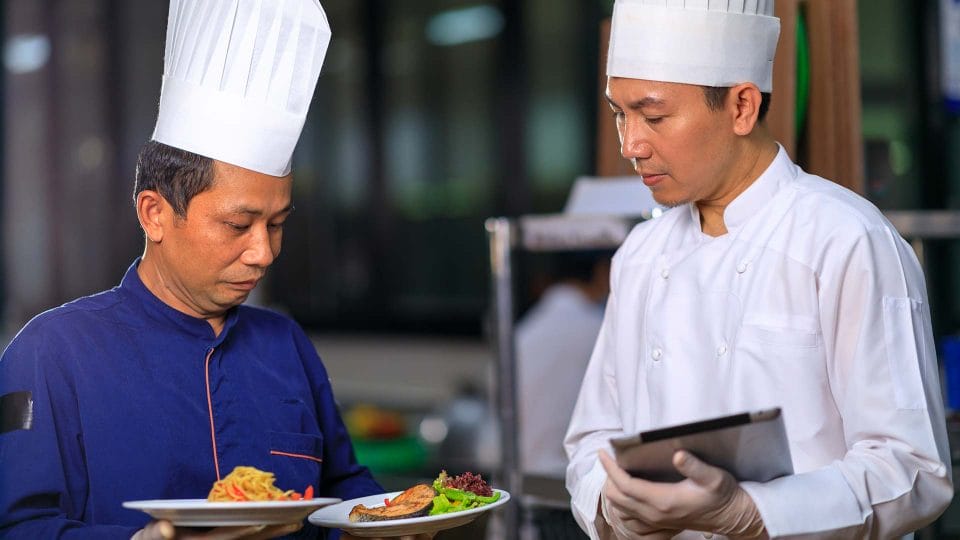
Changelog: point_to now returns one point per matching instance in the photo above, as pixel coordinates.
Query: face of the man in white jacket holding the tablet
(682, 149)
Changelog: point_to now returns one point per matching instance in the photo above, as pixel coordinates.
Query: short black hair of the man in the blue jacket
(178, 175)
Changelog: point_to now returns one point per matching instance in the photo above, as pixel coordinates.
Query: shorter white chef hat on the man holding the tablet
(704, 42)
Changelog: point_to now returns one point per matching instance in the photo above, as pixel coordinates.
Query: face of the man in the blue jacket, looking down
(211, 260)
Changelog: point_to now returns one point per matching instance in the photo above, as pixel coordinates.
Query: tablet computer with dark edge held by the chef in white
(750, 446)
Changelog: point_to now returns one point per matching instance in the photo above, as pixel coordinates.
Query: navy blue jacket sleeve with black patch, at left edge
(43, 482)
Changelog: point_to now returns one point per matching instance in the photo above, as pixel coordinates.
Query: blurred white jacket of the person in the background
(553, 344)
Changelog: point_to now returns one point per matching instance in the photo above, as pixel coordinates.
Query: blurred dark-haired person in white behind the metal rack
(553, 343)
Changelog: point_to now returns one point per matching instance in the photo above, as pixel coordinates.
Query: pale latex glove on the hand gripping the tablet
(709, 499)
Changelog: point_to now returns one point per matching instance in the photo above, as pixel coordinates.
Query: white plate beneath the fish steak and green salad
(336, 517)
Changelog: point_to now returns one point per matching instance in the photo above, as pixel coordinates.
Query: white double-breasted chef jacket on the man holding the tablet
(811, 302)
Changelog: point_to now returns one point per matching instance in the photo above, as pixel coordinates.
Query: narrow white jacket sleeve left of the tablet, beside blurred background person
(595, 419)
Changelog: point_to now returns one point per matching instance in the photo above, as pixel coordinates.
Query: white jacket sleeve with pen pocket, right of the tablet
(882, 369)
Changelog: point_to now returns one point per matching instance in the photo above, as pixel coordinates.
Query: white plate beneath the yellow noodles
(202, 513)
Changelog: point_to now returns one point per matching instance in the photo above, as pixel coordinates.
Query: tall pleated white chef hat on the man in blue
(238, 77)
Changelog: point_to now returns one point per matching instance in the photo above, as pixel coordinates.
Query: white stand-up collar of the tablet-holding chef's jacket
(749, 203)
